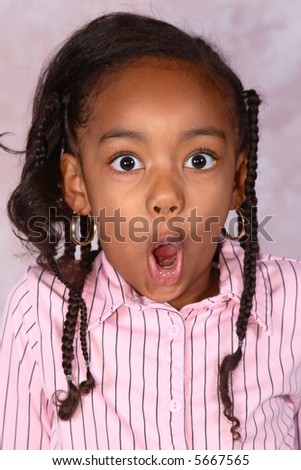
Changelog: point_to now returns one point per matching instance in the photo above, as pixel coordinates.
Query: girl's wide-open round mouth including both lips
(165, 262)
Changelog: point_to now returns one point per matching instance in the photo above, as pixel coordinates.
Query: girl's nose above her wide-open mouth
(165, 196)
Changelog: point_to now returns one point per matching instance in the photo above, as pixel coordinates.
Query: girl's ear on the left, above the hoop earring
(73, 185)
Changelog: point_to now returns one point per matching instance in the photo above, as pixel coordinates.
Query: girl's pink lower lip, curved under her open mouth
(166, 276)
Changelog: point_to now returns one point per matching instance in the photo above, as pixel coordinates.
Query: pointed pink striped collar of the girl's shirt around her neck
(105, 290)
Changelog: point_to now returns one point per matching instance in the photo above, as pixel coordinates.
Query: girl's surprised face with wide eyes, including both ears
(159, 170)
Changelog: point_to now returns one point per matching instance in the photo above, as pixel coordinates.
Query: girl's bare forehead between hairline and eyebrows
(163, 87)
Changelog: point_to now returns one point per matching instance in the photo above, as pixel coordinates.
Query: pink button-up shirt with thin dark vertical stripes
(155, 367)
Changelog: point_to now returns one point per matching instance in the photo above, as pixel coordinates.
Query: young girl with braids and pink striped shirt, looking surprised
(159, 332)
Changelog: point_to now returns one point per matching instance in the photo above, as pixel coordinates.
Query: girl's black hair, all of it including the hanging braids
(61, 106)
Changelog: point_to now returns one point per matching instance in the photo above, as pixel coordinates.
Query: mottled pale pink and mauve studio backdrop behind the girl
(260, 38)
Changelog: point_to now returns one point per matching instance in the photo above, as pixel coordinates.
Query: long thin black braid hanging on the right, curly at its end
(251, 247)
